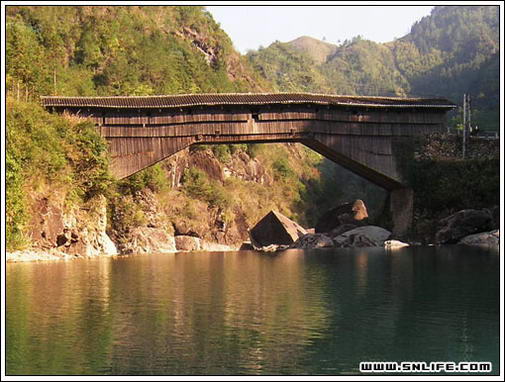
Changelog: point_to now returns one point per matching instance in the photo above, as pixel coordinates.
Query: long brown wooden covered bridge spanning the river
(363, 134)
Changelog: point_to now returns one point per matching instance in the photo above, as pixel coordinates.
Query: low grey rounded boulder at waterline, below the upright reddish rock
(367, 236)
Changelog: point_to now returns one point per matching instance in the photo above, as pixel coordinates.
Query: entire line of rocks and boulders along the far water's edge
(77, 233)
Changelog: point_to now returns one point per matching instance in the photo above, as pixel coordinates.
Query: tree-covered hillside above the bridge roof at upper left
(121, 50)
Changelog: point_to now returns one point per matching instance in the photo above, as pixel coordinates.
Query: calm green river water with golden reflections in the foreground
(302, 312)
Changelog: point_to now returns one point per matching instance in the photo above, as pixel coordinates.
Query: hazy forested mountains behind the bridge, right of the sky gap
(452, 51)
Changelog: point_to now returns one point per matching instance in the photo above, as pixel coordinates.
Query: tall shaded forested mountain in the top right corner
(463, 43)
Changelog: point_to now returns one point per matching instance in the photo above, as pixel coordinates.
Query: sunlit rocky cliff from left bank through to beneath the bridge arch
(208, 201)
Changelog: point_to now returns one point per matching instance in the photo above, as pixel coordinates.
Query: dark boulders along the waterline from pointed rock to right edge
(346, 226)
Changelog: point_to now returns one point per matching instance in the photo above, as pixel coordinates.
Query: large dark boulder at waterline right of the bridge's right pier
(463, 223)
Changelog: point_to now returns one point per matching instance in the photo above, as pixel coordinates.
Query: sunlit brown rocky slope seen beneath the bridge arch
(219, 204)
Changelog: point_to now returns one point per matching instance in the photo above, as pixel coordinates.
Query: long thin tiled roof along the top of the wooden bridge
(217, 99)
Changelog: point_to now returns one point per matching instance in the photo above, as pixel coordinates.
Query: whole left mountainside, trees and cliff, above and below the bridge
(58, 166)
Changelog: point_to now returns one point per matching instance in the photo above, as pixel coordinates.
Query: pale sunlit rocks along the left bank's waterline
(58, 233)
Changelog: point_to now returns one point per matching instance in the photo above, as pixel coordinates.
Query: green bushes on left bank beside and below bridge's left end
(45, 150)
